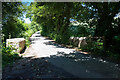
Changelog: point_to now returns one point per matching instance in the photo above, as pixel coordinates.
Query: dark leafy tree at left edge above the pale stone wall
(10, 13)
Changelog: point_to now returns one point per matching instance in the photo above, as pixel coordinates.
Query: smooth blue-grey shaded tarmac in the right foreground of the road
(91, 66)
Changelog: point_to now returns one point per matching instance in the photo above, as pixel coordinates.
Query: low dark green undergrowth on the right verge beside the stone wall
(96, 48)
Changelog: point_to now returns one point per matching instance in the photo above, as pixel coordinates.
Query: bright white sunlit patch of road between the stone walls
(45, 47)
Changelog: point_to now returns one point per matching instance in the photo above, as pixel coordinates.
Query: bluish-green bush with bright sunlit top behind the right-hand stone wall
(81, 29)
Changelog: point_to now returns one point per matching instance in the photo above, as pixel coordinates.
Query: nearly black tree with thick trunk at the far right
(106, 12)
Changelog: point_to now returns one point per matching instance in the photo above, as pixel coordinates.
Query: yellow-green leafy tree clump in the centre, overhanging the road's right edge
(54, 19)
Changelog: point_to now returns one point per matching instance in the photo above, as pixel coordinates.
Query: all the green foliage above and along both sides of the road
(54, 20)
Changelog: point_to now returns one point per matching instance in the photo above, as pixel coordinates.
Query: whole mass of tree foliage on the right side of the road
(95, 19)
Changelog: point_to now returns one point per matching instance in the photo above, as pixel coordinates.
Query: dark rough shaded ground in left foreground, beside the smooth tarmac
(33, 68)
